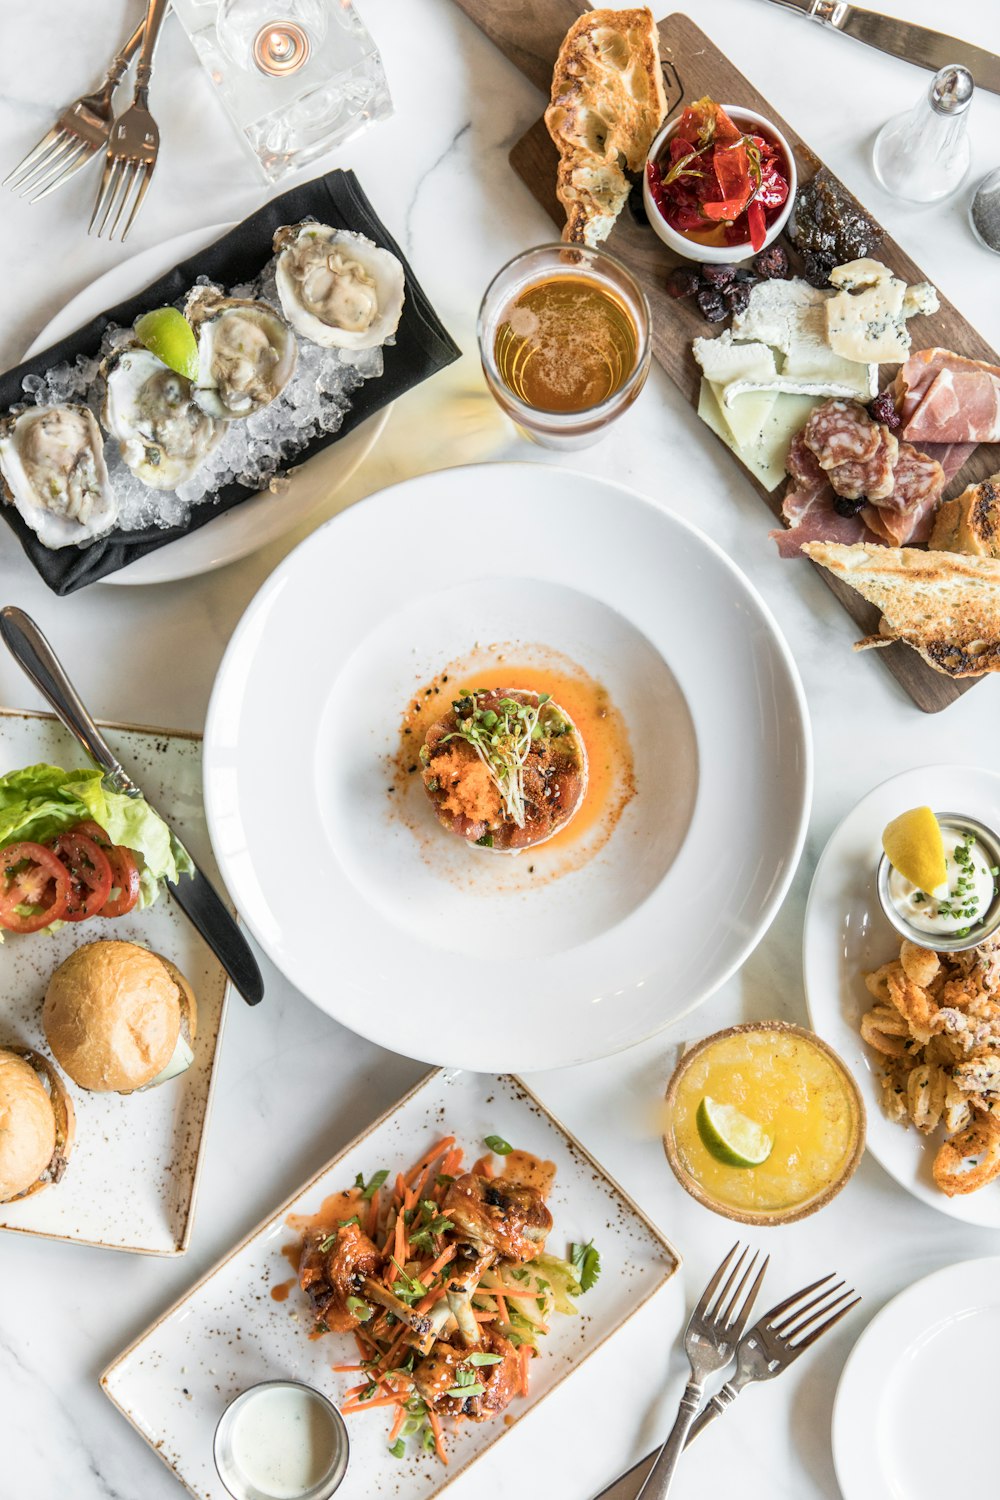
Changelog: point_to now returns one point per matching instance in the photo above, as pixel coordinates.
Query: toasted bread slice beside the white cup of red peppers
(608, 103)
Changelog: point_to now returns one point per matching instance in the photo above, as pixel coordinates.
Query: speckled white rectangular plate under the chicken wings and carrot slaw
(229, 1333)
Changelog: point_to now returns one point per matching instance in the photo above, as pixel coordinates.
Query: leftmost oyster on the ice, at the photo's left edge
(52, 460)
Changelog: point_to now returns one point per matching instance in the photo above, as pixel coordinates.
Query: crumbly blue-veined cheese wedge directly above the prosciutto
(866, 319)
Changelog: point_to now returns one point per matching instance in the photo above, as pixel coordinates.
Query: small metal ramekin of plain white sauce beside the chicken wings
(281, 1441)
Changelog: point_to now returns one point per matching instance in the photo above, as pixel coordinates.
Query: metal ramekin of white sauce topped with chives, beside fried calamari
(966, 910)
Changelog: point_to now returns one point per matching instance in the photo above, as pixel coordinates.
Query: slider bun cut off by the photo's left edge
(37, 1124)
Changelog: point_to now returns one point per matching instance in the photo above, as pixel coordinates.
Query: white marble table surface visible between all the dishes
(295, 1085)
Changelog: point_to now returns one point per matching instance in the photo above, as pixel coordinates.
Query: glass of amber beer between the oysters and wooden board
(564, 341)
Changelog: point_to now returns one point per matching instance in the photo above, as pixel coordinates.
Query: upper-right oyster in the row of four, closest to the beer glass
(337, 287)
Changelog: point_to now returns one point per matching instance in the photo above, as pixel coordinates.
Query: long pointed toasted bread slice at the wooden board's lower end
(945, 605)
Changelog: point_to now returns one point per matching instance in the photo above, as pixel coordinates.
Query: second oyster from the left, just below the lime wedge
(163, 434)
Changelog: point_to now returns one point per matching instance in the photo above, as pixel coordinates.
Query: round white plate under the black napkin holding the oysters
(256, 523)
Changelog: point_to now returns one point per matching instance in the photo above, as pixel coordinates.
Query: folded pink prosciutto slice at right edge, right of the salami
(947, 398)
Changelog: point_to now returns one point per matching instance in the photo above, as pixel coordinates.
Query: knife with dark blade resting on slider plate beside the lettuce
(196, 896)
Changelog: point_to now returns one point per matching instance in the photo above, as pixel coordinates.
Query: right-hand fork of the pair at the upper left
(134, 143)
